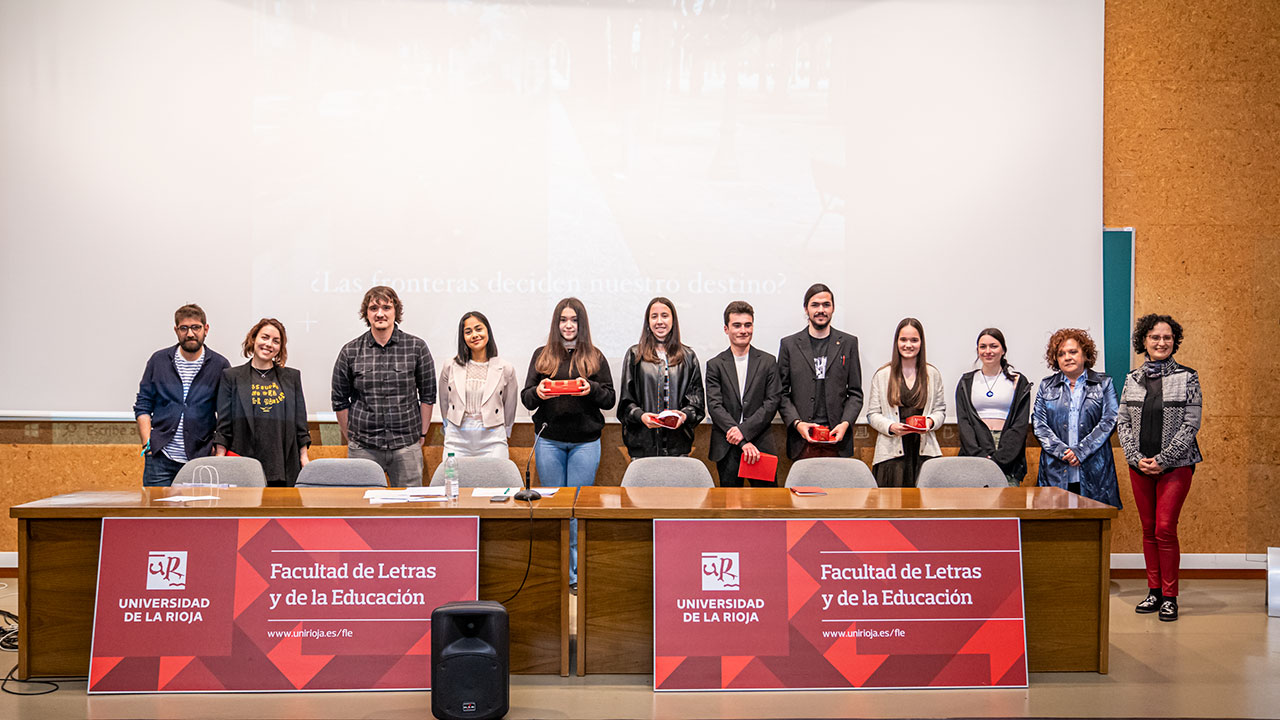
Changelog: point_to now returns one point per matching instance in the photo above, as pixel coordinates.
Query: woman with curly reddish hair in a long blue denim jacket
(1076, 413)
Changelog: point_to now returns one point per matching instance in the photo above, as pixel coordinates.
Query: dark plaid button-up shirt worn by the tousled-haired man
(385, 388)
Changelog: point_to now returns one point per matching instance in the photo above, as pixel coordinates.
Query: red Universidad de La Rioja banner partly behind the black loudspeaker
(275, 604)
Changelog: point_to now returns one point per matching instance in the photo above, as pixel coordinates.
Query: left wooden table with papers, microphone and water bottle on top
(58, 546)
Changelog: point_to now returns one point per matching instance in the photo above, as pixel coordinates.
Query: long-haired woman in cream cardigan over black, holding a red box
(906, 408)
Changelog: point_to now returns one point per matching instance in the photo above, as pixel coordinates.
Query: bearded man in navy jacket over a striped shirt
(176, 402)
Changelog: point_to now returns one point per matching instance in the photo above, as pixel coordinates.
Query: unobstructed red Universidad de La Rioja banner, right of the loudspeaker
(838, 604)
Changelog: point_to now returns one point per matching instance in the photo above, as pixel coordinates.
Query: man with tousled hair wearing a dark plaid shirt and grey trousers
(385, 391)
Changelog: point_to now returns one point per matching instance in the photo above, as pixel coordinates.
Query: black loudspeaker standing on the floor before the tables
(470, 662)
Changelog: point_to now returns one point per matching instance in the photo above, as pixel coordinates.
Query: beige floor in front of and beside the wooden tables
(1220, 660)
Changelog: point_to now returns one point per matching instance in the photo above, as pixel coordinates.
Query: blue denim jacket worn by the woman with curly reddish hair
(1098, 421)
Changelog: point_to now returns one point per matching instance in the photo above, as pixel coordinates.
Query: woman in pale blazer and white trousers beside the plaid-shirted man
(478, 394)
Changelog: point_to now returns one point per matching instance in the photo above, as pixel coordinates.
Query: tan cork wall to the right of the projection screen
(1192, 162)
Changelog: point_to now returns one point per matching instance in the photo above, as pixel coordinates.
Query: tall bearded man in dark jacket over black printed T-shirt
(822, 381)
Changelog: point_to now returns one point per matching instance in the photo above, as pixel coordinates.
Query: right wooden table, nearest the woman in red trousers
(1066, 539)
